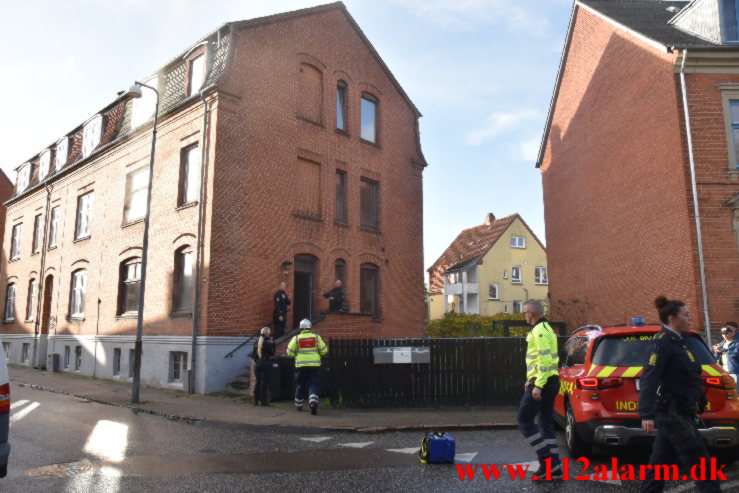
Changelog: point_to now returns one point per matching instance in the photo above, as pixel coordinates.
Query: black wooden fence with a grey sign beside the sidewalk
(476, 371)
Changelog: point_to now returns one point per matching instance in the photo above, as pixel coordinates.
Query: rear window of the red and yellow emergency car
(634, 350)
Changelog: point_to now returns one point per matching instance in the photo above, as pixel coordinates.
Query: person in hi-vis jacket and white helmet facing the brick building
(307, 349)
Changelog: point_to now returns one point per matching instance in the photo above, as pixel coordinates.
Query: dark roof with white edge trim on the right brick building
(648, 19)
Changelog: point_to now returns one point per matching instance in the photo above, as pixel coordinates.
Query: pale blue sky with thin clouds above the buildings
(480, 71)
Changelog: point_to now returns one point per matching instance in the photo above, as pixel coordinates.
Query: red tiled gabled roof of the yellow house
(474, 243)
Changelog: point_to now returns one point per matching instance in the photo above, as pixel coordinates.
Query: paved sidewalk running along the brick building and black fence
(179, 405)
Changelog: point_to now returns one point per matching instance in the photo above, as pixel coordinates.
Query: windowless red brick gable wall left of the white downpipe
(617, 210)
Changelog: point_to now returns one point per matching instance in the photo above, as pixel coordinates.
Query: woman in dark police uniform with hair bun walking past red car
(671, 397)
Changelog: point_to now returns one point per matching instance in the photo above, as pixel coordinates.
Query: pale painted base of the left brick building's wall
(213, 371)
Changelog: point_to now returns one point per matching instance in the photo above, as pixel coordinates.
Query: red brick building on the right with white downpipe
(639, 160)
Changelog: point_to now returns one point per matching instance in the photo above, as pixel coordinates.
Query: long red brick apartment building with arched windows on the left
(311, 170)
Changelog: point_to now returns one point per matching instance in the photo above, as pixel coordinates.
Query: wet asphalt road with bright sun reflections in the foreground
(61, 443)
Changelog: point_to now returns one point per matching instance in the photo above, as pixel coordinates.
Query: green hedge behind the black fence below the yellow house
(466, 325)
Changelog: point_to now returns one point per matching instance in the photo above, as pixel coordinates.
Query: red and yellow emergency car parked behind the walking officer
(599, 389)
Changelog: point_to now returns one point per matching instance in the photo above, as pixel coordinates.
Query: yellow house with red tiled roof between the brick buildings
(489, 269)
